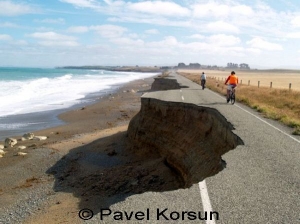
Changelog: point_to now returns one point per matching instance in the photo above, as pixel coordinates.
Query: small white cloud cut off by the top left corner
(9, 8)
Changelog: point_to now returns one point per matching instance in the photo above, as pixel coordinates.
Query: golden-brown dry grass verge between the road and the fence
(278, 104)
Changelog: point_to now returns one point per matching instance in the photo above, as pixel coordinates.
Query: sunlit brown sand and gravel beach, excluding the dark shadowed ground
(28, 191)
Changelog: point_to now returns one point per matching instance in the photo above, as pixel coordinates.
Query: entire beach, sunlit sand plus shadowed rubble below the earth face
(62, 174)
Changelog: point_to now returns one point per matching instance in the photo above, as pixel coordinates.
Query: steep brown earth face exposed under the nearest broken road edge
(190, 138)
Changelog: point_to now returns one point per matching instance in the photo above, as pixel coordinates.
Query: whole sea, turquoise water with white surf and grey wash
(31, 98)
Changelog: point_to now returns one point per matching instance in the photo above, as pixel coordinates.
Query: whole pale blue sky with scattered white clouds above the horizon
(42, 33)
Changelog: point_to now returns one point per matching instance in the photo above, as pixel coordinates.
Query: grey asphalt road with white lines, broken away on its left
(261, 183)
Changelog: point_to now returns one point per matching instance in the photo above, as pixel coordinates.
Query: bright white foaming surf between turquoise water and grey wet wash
(48, 93)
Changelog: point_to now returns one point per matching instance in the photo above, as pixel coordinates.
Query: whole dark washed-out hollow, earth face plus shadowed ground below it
(167, 146)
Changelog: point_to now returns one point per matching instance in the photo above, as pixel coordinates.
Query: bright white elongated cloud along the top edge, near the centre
(159, 8)
